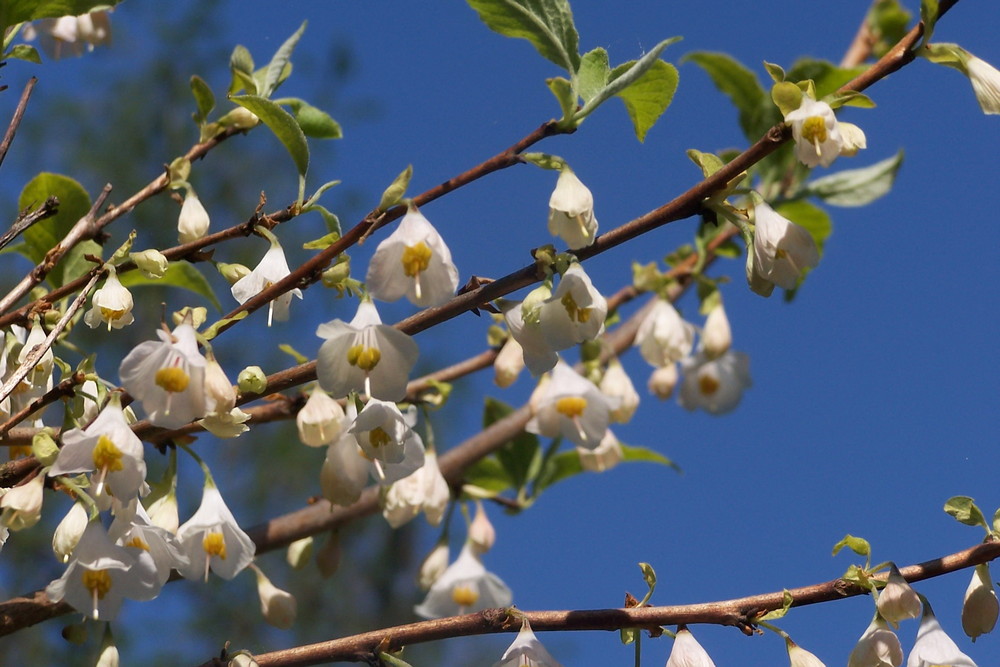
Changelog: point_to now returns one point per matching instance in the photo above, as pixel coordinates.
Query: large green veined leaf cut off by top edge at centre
(547, 24)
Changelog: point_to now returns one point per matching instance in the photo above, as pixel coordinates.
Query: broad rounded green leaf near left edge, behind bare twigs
(74, 203)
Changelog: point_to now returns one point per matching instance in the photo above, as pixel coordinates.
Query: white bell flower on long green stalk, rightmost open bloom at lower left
(211, 538)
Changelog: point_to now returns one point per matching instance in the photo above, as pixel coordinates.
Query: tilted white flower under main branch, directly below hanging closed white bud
(574, 313)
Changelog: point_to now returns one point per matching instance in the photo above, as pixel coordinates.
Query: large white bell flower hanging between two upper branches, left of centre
(413, 262)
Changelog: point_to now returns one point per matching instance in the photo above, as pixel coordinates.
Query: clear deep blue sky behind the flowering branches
(875, 392)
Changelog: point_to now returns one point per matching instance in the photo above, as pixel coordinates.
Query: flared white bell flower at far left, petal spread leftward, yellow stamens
(110, 449)
